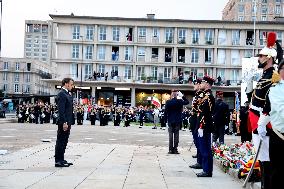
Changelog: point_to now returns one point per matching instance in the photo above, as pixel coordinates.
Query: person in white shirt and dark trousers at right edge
(274, 108)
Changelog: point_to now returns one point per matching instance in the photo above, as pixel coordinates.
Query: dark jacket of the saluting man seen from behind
(173, 110)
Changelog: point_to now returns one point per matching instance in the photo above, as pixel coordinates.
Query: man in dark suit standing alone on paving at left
(65, 120)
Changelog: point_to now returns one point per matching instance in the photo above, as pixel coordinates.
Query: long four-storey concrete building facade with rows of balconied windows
(148, 55)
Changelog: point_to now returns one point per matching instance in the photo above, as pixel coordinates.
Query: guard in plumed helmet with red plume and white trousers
(259, 120)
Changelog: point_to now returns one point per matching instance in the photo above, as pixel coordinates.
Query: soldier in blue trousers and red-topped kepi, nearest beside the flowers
(205, 127)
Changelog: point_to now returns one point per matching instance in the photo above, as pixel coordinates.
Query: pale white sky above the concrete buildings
(15, 12)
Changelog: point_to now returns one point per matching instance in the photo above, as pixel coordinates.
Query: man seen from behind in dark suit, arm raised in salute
(173, 114)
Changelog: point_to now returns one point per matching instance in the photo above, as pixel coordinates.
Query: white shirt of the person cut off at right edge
(276, 97)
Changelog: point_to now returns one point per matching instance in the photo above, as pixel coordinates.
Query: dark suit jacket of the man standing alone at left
(65, 108)
